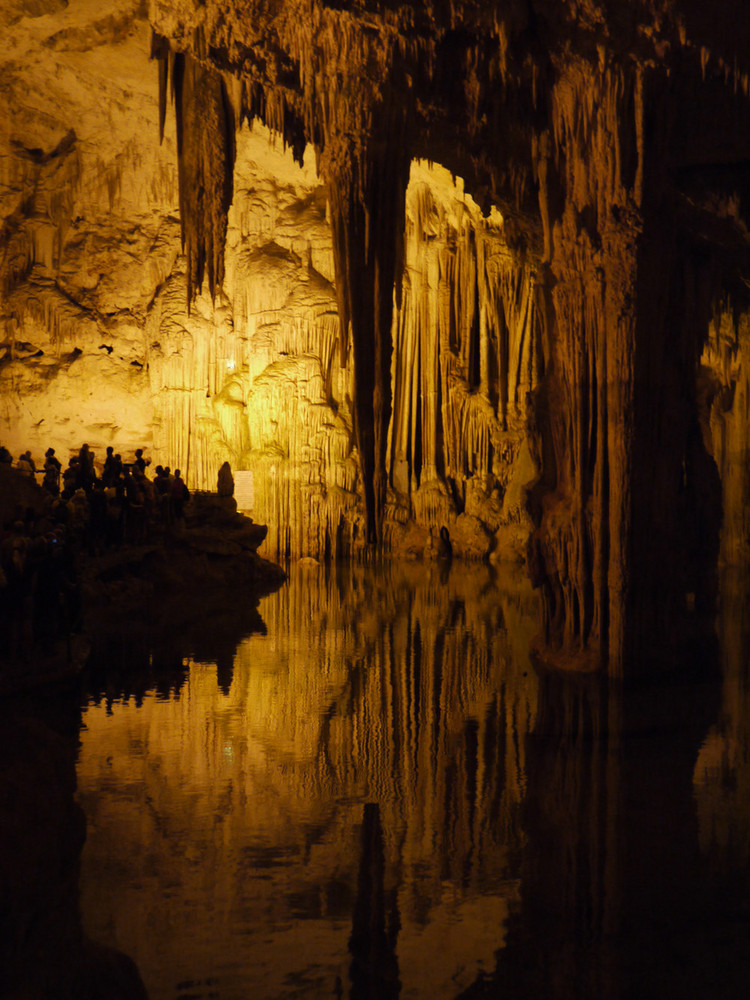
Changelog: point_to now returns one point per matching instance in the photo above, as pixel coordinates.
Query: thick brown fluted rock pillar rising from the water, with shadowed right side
(616, 410)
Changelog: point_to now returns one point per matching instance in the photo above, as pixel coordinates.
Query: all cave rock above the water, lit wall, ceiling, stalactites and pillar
(463, 264)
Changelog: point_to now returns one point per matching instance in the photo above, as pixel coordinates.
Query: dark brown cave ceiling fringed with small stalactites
(476, 80)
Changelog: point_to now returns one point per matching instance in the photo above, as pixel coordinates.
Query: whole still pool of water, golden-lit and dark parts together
(377, 795)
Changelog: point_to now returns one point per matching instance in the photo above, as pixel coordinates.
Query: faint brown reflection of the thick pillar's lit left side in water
(571, 885)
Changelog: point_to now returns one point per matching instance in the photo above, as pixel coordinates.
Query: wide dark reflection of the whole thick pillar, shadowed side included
(615, 903)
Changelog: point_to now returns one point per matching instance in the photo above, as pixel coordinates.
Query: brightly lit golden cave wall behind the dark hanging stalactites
(103, 342)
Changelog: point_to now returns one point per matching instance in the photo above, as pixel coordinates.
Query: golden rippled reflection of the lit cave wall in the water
(230, 848)
